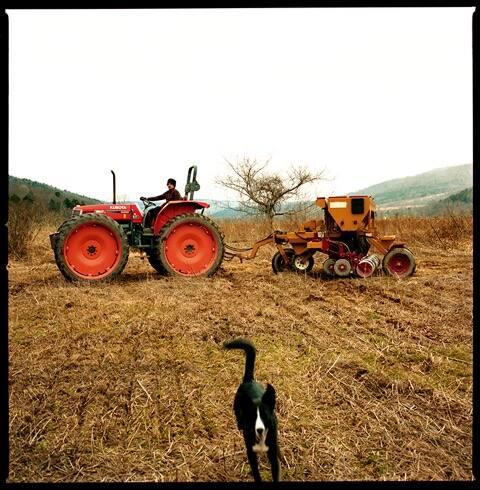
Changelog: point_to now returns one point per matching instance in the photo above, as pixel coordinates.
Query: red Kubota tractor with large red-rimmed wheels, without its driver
(94, 243)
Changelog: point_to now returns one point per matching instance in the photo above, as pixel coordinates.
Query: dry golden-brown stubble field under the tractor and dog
(128, 381)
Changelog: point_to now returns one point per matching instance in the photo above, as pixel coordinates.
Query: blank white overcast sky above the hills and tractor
(367, 94)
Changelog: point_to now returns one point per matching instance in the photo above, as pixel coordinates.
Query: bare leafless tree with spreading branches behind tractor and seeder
(263, 193)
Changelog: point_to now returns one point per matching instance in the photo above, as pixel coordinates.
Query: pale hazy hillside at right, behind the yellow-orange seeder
(425, 193)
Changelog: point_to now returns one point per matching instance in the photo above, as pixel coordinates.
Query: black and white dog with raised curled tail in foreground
(254, 408)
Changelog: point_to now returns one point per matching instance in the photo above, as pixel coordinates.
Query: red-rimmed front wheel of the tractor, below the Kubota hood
(91, 247)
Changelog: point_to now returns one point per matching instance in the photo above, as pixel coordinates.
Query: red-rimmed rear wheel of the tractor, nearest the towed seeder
(191, 245)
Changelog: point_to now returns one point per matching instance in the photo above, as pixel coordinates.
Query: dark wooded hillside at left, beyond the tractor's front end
(51, 197)
